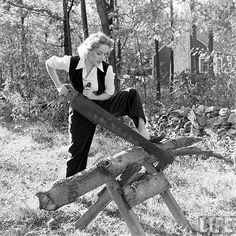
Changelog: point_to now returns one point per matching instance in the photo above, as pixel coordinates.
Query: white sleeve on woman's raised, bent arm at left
(59, 63)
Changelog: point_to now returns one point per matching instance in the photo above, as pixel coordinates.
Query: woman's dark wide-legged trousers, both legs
(82, 130)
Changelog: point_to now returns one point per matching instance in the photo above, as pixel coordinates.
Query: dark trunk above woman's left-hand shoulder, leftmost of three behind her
(66, 24)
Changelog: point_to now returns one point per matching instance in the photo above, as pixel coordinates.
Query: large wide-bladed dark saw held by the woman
(98, 115)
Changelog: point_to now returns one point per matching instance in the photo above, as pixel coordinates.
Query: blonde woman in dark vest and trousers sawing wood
(90, 67)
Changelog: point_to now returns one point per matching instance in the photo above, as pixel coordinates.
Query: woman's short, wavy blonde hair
(94, 41)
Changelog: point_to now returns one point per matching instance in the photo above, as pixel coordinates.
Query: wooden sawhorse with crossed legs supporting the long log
(125, 197)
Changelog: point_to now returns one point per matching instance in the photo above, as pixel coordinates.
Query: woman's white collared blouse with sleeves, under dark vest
(63, 63)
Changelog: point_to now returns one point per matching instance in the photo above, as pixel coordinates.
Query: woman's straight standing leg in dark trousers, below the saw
(81, 135)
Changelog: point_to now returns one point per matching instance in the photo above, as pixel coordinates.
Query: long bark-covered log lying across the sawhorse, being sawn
(68, 190)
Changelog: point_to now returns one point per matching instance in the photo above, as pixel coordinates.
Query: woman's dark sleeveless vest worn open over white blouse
(76, 78)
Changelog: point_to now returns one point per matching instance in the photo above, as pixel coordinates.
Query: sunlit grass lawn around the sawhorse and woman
(33, 156)
